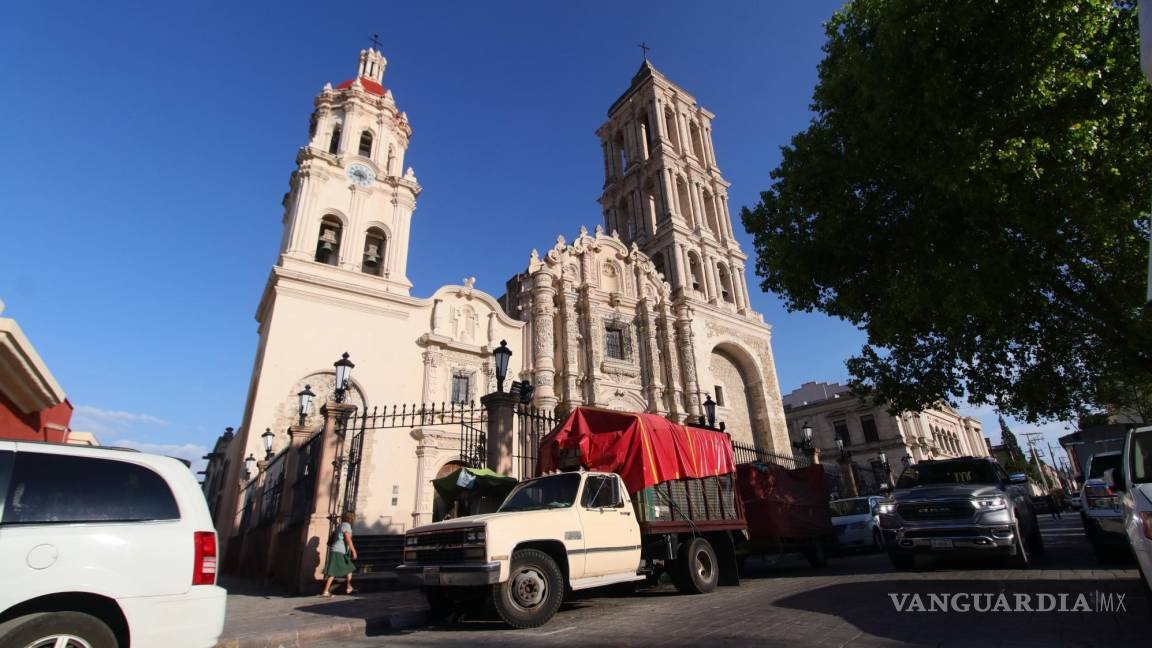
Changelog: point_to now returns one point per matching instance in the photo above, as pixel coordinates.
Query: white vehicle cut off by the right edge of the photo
(1136, 500)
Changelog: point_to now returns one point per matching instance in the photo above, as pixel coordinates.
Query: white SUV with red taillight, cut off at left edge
(104, 548)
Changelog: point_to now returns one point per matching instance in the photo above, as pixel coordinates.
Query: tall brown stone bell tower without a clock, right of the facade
(663, 190)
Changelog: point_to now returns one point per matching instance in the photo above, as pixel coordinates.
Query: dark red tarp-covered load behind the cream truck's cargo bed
(782, 503)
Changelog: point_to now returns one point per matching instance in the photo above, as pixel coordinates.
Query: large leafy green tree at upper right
(972, 194)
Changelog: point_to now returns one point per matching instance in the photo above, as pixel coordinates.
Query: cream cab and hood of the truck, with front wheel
(560, 531)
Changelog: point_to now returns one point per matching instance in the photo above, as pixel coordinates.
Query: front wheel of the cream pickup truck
(533, 593)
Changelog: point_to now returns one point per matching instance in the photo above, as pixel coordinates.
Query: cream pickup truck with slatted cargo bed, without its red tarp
(577, 531)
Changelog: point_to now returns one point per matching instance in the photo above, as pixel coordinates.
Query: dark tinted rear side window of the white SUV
(58, 488)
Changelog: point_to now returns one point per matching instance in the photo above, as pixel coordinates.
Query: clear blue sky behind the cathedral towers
(148, 146)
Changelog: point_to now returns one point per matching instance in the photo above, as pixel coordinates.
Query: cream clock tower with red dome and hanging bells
(350, 208)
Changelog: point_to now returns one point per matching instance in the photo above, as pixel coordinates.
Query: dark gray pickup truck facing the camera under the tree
(968, 506)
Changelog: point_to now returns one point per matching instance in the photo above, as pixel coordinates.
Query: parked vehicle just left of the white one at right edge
(1104, 522)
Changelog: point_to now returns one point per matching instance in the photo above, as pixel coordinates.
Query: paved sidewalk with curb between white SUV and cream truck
(259, 619)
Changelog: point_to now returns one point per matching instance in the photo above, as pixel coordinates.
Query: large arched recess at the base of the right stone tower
(740, 396)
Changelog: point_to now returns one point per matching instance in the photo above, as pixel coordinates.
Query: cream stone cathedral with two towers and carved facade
(647, 313)
